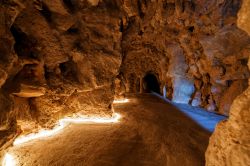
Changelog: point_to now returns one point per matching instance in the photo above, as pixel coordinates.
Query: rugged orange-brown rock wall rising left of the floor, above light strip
(56, 58)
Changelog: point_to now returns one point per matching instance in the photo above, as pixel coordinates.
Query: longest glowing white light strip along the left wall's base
(62, 124)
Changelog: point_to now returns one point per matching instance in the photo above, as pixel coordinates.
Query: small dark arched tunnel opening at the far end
(150, 83)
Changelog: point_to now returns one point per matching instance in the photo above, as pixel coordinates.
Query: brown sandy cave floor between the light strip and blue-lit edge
(151, 132)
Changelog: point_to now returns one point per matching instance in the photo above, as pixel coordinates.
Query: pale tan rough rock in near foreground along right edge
(230, 143)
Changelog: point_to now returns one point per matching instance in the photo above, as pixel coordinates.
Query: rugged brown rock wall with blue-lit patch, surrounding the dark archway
(194, 47)
